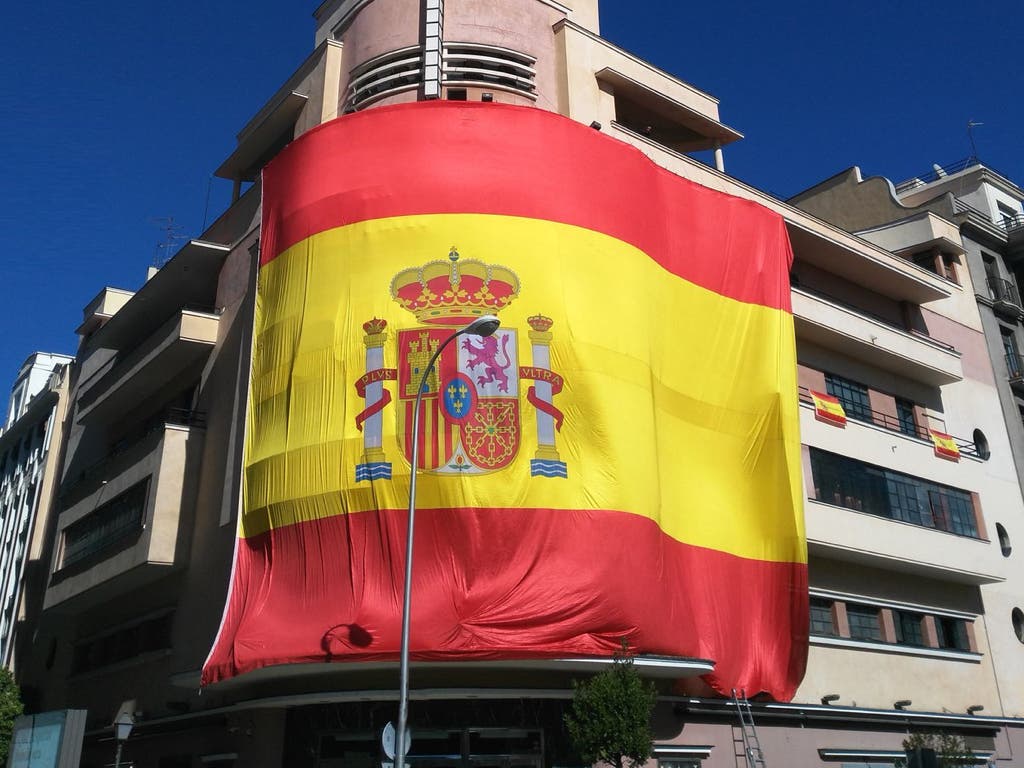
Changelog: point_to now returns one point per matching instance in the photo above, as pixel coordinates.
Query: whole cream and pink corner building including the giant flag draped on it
(621, 461)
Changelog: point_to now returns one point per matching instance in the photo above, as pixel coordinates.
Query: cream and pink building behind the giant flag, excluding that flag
(913, 496)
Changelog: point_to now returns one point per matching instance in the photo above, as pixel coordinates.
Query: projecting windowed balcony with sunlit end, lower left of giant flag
(126, 520)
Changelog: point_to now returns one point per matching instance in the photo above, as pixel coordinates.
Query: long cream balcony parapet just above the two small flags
(832, 324)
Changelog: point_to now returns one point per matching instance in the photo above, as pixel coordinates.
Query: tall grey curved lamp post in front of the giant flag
(485, 326)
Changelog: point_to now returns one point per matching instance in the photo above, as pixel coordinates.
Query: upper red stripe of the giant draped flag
(545, 167)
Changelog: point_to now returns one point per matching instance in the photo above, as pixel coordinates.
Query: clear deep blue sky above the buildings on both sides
(114, 115)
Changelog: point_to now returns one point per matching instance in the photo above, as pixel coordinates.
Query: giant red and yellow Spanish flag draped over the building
(620, 460)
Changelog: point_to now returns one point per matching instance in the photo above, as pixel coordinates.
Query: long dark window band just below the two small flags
(855, 485)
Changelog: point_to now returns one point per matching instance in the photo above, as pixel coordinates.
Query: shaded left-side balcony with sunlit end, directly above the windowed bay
(180, 347)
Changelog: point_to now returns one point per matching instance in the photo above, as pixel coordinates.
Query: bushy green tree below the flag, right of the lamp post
(610, 718)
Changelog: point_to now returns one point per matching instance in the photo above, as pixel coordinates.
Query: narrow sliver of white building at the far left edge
(30, 447)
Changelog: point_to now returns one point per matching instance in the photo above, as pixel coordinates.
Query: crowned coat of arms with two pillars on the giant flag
(471, 418)
